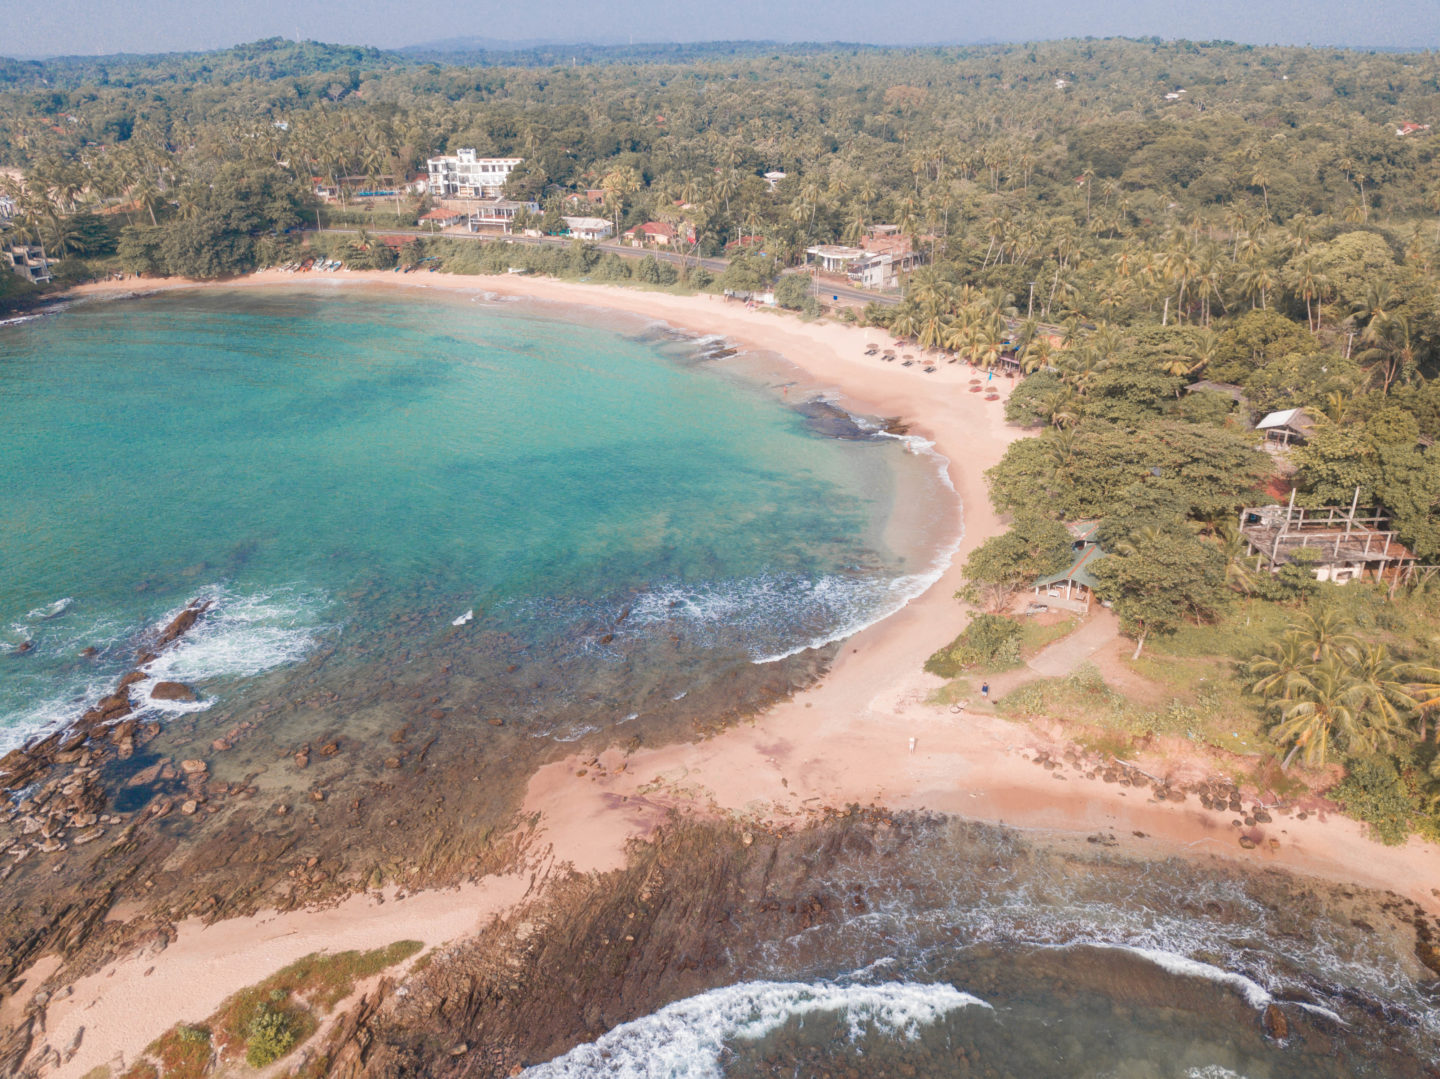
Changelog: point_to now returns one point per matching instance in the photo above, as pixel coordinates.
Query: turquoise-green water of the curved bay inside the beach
(352, 470)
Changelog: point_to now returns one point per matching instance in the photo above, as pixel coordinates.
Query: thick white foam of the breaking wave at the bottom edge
(688, 1039)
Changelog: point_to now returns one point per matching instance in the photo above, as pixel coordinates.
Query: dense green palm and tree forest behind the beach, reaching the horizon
(1124, 218)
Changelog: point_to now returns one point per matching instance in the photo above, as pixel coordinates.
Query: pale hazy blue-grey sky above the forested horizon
(38, 28)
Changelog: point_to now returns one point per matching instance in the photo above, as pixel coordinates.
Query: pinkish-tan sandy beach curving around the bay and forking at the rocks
(865, 735)
